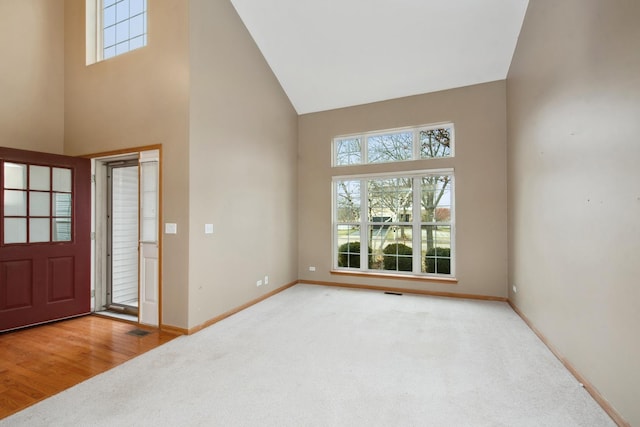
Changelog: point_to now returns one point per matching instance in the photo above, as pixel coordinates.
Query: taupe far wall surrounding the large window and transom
(478, 113)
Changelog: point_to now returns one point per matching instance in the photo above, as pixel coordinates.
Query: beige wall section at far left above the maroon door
(32, 75)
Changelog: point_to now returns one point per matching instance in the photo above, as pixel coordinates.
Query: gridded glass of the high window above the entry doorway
(124, 26)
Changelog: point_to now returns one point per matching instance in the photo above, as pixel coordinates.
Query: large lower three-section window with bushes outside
(406, 220)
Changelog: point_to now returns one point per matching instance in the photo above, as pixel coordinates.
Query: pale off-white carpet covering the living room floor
(319, 356)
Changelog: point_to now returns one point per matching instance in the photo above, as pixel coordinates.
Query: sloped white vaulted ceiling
(336, 53)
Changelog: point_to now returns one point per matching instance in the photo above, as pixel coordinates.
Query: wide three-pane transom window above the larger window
(422, 142)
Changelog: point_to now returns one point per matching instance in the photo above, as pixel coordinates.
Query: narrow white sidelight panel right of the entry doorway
(149, 247)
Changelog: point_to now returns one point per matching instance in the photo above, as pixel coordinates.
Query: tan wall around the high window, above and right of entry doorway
(137, 99)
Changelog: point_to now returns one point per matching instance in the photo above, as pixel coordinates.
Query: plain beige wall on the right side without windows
(574, 195)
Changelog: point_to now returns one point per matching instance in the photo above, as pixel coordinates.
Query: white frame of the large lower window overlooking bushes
(416, 222)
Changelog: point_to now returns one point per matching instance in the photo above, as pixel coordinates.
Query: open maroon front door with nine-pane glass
(45, 226)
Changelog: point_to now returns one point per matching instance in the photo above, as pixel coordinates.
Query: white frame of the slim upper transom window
(415, 155)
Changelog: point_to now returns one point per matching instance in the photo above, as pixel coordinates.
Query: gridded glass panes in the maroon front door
(37, 202)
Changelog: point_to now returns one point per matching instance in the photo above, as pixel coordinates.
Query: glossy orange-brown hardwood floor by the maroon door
(38, 362)
